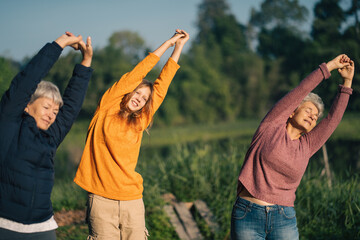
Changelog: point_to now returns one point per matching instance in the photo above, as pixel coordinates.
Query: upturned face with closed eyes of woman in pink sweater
(305, 117)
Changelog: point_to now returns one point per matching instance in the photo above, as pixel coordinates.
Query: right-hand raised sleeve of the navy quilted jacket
(73, 99)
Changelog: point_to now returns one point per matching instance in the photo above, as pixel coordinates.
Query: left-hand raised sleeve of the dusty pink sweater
(287, 105)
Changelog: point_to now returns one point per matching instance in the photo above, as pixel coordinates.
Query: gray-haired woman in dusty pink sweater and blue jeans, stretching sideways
(279, 153)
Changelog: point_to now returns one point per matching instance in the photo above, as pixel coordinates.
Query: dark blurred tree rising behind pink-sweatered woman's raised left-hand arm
(280, 43)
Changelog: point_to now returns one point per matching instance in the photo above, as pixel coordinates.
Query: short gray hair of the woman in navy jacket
(48, 90)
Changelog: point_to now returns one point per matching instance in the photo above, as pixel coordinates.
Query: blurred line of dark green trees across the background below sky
(231, 70)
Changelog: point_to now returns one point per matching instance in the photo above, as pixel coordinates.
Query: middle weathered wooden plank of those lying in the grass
(188, 221)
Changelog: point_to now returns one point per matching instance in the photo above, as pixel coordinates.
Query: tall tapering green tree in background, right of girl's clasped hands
(219, 56)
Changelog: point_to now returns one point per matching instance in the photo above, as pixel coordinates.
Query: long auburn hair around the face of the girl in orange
(131, 117)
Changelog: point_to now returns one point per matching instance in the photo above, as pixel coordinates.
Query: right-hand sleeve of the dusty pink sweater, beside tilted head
(321, 133)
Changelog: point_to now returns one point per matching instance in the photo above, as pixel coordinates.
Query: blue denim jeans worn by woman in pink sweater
(250, 221)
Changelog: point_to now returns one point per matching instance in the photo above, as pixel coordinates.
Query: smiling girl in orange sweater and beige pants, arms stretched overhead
(107, 168)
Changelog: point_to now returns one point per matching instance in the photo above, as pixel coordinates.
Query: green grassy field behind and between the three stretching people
(203, 162)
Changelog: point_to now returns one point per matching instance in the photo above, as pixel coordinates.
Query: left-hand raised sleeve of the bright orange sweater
(127, 83)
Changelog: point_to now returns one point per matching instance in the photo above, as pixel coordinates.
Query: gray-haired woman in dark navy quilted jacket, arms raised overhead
(34, 120)
